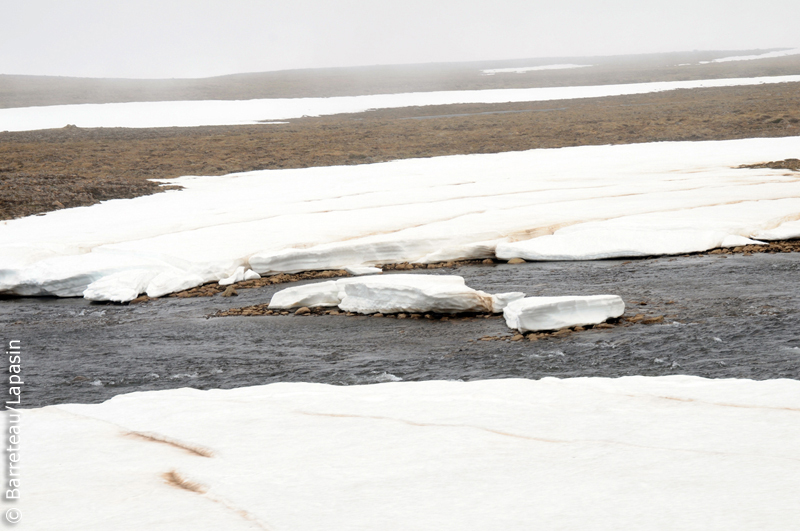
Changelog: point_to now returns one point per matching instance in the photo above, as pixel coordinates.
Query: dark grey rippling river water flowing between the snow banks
(732, 317)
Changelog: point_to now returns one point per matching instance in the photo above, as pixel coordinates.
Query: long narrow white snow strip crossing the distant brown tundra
(225, 112)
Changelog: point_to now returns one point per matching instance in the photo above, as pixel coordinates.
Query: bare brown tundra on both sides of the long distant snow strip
(51, 169)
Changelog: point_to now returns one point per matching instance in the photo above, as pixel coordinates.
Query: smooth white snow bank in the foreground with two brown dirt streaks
(675, 452)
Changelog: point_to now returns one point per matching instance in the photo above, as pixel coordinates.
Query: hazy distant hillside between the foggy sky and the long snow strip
(24, 91)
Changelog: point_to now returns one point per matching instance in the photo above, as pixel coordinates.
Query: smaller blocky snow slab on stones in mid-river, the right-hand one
(552, 313)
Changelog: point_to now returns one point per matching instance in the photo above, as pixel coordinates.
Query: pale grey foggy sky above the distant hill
(199, 38)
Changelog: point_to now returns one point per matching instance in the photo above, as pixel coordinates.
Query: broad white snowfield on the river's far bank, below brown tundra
(573, 203)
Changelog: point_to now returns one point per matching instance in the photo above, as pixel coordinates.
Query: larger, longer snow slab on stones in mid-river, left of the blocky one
(395, 294)
